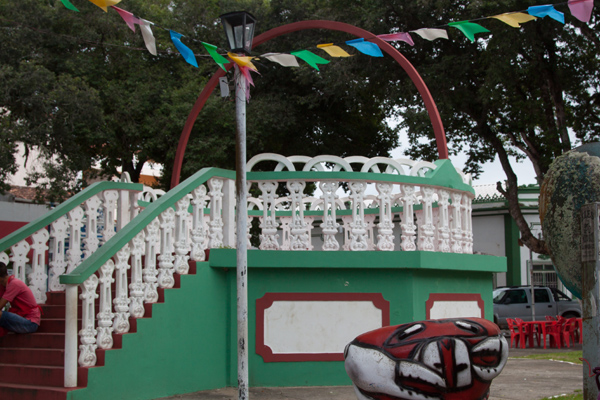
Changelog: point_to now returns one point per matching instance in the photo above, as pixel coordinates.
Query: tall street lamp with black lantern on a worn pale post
(239, 29)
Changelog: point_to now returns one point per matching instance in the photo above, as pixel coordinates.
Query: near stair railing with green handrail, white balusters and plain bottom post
(155, 244)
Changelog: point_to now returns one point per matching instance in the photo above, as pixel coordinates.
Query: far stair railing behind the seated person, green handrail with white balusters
(61, 239)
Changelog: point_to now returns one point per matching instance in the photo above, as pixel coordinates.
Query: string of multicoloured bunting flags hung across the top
(580, 9)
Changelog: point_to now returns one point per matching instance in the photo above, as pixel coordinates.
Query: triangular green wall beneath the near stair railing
(181, 349)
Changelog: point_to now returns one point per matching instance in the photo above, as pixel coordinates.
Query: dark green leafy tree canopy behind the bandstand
(82, 87)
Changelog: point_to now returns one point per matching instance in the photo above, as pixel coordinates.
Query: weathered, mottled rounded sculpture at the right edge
(572, 181)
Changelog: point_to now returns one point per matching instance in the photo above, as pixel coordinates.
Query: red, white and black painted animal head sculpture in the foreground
(449, 359)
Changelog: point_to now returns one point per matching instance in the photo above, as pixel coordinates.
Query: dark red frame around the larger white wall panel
(269, 298)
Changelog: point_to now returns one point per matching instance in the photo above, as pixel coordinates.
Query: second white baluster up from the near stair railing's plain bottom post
(105, 314)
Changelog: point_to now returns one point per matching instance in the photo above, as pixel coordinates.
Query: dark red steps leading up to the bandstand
(32, 365)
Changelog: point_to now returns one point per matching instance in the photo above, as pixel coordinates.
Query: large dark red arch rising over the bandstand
(434, 116)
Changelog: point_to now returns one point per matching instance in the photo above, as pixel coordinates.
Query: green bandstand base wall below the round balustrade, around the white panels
(404, 278)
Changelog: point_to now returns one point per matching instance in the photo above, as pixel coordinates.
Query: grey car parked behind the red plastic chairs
(515, 302)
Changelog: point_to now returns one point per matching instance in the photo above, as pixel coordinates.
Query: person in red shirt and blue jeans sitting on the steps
(24, 315)
